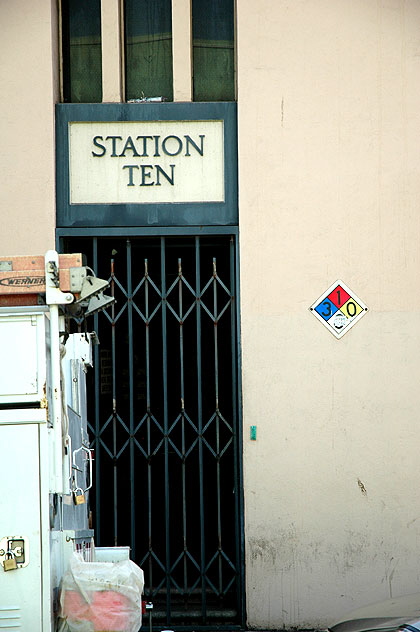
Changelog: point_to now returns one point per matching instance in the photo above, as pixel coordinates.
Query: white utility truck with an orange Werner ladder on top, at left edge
(46, 459)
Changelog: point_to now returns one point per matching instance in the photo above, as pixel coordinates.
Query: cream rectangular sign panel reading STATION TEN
(135, 162)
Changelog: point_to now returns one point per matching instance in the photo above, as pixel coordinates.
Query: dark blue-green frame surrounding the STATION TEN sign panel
(146, 214)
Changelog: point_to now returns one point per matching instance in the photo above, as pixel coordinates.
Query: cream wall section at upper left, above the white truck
(29, 83)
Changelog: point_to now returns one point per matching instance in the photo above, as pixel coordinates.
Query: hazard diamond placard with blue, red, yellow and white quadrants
(338, 309)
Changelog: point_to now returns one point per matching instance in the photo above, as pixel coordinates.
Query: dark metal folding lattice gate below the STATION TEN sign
(164, 421)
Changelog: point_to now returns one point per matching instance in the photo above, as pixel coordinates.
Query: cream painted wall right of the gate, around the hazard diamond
(329, 168)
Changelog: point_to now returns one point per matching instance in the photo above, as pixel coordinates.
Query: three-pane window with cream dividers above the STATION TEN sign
(159, 49)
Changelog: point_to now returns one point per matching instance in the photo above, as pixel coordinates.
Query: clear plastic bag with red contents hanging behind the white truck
(101, 596)
